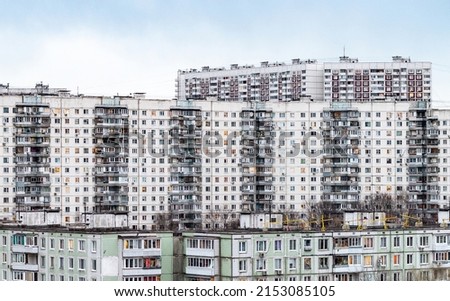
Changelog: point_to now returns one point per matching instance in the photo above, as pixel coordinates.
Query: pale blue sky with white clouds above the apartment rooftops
(107, 47)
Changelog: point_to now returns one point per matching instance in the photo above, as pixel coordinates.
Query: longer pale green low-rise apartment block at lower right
(352, 255)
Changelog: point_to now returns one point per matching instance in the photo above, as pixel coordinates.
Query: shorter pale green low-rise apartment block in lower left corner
(80, 254)
